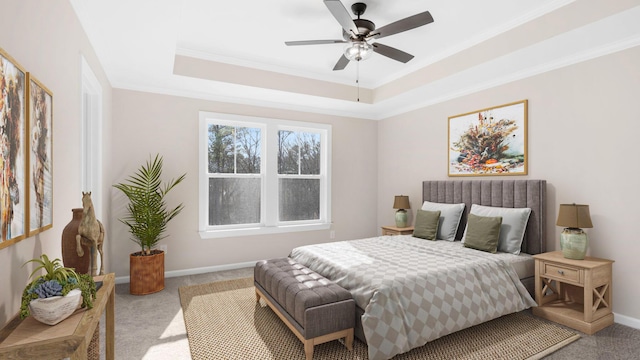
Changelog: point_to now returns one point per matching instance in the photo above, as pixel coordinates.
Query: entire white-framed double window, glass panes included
(260, 176)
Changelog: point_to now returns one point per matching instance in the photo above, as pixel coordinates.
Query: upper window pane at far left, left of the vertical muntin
(220, 149)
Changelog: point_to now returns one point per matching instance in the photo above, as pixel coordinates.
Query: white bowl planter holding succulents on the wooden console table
(52, 310)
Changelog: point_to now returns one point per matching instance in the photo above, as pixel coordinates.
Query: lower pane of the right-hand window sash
(299, 199)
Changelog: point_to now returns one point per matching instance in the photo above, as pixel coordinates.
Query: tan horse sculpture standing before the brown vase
(90, 233)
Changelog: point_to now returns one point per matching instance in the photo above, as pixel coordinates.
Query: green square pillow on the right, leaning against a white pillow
(483, 233)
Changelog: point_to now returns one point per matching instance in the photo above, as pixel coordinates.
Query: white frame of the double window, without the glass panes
(269, 204)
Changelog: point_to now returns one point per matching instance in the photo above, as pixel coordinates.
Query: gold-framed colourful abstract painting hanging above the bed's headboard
(489, 142)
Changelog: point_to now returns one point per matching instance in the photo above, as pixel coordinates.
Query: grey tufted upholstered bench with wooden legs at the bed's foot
(314, 308)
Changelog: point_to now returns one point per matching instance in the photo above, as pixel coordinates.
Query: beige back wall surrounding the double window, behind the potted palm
(144, 124)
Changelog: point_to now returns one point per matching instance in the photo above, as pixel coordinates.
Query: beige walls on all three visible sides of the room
(582, 135)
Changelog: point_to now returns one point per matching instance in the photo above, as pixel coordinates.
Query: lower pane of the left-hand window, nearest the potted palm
(234, 201)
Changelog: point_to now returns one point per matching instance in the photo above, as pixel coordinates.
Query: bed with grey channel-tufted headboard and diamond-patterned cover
(410, 291)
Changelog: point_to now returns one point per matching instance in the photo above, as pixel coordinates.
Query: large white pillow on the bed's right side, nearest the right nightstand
(514, 224)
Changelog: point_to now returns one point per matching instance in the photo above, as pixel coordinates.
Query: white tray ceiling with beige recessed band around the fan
(234, 51)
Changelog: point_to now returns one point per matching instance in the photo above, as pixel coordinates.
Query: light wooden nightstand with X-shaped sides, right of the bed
(575, 293)
